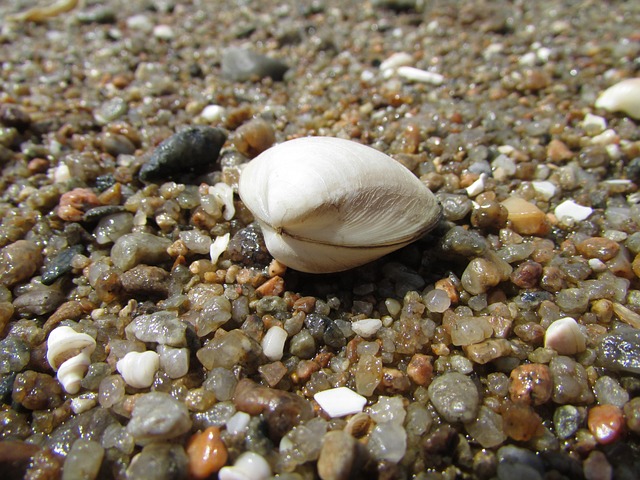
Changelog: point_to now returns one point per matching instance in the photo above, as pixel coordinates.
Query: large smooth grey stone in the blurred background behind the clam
(240, 65)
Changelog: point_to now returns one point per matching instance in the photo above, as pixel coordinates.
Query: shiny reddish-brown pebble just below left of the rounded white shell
(530, 384)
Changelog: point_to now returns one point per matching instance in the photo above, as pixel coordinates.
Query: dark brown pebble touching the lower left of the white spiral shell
(36, 391)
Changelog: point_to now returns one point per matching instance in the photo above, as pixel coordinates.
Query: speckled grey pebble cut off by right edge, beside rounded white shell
(618, 351)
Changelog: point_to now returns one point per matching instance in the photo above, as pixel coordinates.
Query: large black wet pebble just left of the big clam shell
(193, 150)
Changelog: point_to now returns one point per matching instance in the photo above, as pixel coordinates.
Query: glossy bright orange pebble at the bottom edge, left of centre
(207, 453)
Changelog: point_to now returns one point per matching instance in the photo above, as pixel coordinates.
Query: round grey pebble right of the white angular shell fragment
(455, 397)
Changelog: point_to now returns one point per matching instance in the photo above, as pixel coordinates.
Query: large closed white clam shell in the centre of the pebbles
(328, 205)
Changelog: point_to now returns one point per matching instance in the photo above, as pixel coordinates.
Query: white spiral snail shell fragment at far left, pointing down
(69, 353)
